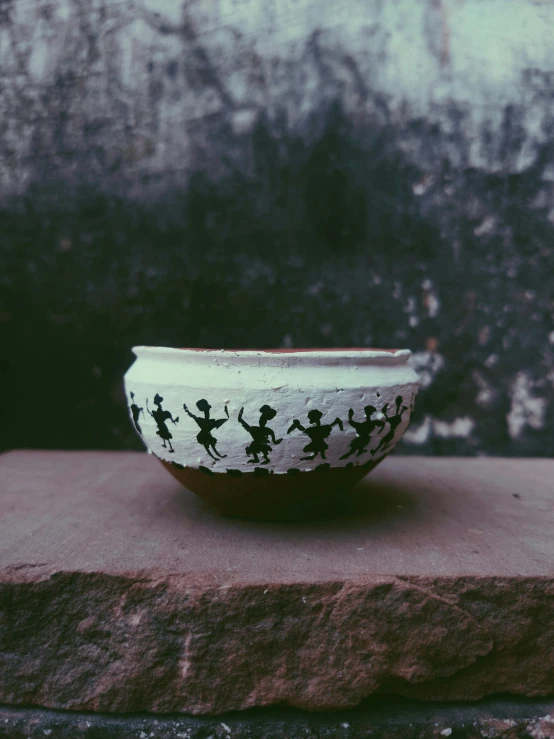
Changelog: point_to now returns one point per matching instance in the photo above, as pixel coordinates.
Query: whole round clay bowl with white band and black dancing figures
(270, 434)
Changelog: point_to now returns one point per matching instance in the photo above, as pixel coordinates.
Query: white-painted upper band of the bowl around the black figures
(292, 383)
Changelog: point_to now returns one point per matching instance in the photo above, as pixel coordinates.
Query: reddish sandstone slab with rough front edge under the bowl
(120, 591)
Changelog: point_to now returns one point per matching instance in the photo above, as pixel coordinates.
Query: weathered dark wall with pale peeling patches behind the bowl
(245, 173)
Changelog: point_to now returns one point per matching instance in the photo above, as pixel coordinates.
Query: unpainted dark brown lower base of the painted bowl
(262, 496)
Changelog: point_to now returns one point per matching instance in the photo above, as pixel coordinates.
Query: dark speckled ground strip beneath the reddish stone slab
(385, 719)
